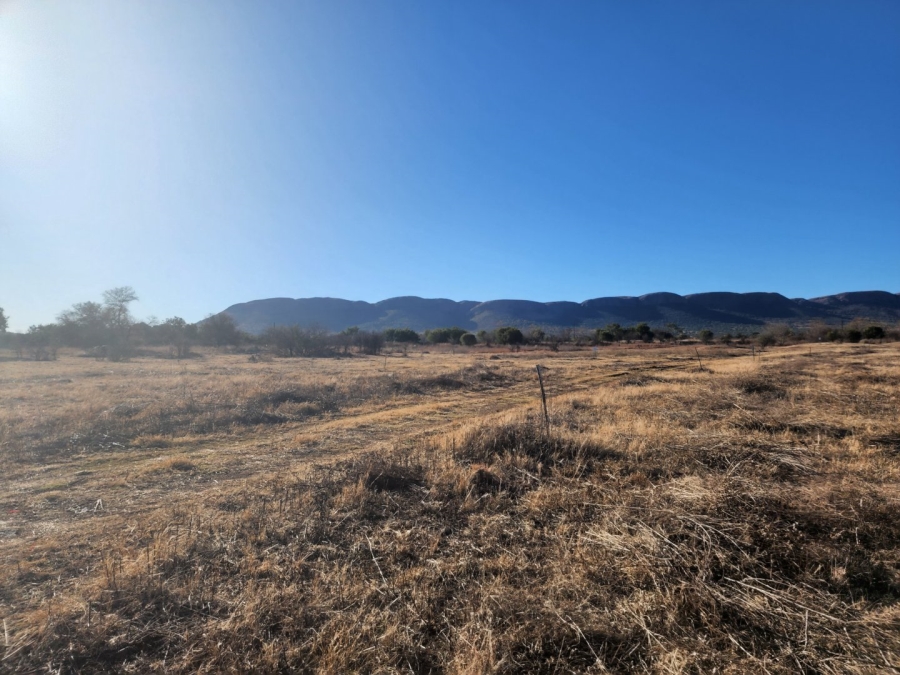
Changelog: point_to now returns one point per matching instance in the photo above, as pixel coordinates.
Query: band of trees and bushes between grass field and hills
(108, 330)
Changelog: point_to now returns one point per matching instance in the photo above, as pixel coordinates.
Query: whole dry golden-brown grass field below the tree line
(414, 513)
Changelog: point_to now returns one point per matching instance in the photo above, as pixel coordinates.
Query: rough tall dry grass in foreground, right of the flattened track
(742, 520)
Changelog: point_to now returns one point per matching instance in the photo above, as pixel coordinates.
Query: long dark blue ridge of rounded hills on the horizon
(733, 312)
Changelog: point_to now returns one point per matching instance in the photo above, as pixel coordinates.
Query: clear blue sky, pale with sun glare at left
(212, 152)
